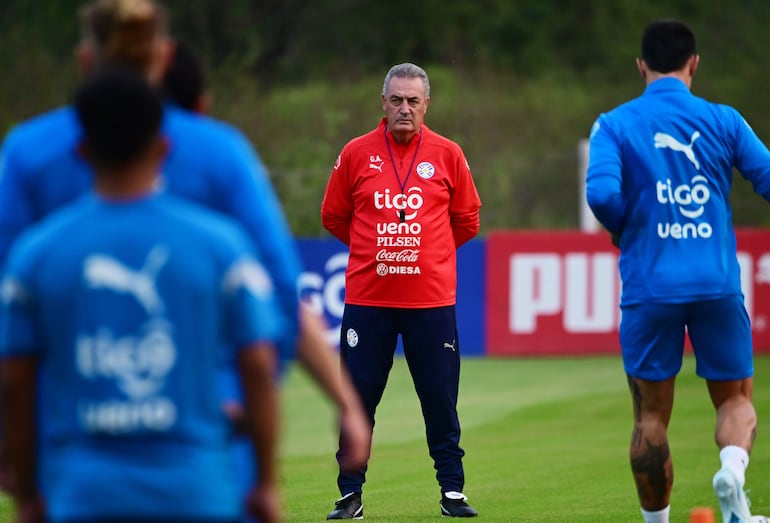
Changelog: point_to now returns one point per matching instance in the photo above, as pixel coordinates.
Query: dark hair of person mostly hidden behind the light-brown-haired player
(185, 79)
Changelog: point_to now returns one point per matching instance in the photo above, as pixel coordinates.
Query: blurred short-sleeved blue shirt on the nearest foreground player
(127, 306)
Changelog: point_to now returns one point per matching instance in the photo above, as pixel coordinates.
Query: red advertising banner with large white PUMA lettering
(556, 292)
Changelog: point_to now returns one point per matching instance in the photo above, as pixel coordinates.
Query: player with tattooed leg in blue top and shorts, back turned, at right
(659, 178)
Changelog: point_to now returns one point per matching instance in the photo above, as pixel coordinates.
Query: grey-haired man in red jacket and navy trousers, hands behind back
(403, 199)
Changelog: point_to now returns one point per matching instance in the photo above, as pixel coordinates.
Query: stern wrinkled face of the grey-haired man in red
(405, 106)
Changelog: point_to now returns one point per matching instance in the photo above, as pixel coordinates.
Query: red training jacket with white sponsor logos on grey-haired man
(403, 217)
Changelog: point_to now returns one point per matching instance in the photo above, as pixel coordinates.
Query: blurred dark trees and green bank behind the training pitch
(516, 83)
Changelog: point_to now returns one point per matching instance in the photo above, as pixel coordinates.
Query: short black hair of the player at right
(667, 45)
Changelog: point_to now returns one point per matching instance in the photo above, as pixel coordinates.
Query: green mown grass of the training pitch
(545, 439)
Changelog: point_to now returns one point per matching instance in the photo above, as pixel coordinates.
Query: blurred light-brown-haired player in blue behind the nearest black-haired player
(209, 162)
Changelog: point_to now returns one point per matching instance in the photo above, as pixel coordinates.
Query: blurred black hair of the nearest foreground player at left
(120, 114)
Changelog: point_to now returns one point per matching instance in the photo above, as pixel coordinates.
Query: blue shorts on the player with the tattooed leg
(652, 339)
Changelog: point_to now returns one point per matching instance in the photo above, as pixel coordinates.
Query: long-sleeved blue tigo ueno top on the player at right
(660, 173)
